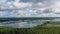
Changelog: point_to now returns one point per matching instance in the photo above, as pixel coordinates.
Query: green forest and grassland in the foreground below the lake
(40, 29)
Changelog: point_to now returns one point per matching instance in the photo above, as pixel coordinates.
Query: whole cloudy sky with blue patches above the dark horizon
(30, 8)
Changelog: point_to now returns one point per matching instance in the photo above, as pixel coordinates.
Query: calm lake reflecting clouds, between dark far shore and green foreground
(23, 24)
